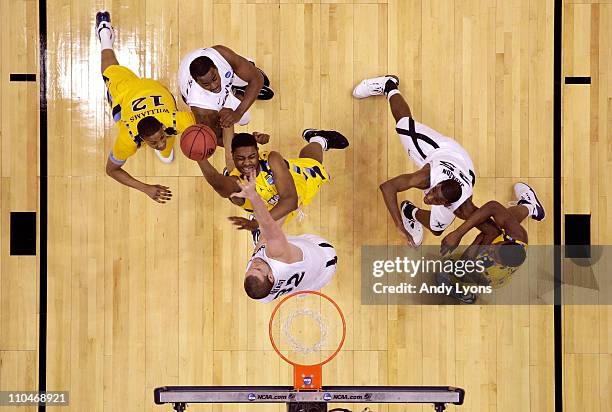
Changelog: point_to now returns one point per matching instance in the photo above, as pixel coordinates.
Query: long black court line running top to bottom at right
(557, 308)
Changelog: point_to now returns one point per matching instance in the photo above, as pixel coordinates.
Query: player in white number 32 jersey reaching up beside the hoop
(283, 264)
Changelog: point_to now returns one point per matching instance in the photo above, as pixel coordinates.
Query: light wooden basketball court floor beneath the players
(141, 295)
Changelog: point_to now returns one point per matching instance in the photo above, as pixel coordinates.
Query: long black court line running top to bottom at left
(42, 328)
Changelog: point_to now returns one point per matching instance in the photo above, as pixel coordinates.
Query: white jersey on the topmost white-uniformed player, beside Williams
(193, 94)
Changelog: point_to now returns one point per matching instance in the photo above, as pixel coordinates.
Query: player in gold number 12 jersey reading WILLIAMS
(145, 112)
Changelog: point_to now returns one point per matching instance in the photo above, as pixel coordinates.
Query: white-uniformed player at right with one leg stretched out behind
(446, 172)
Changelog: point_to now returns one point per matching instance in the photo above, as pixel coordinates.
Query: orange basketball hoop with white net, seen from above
(303, 316)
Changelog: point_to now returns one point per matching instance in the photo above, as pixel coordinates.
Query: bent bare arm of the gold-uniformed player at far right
(492, 209)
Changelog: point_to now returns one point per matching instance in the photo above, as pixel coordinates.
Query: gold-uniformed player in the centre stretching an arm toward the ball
(285, 185)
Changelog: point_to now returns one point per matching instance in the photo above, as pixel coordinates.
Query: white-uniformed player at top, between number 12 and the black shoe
(211, 78)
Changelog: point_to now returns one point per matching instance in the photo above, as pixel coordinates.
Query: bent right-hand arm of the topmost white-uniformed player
(247, 72)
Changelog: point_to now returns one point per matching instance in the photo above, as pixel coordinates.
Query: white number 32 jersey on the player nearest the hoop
(313, 272)
